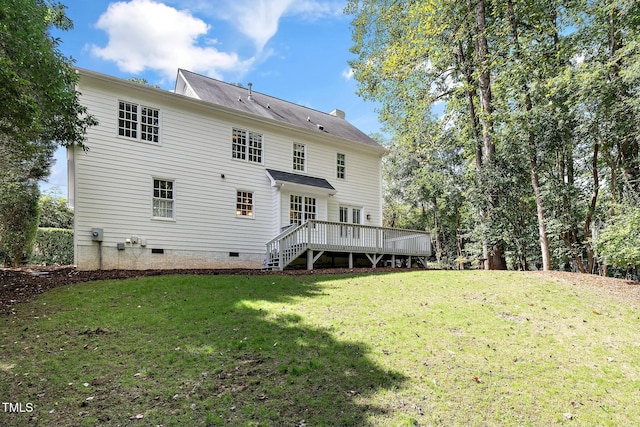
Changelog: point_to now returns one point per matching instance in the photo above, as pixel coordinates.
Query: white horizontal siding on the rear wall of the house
(114, 183)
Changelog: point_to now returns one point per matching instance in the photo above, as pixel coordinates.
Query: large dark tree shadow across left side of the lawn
(180, 350)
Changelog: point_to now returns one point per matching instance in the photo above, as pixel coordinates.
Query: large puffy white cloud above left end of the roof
(145, 34)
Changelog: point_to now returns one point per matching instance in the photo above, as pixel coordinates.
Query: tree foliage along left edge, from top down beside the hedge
(40, 111)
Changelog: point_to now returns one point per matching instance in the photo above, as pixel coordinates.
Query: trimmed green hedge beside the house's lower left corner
(53, 246)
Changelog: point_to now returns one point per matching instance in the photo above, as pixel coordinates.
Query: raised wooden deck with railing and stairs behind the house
(314, 238)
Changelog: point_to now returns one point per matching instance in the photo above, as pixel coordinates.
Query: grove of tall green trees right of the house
(540, 99)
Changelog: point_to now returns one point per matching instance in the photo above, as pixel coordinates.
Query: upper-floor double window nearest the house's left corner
(138, 122)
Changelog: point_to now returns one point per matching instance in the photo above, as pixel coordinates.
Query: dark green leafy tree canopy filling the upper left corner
(37, 83)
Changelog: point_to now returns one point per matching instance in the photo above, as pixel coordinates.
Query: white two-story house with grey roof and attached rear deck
(214, 175)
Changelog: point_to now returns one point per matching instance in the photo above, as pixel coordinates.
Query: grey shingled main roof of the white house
(259, 104)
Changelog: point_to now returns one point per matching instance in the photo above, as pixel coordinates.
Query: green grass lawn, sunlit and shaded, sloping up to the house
(398, 349)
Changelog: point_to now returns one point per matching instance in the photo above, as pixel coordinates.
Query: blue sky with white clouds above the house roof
(297, 50)
